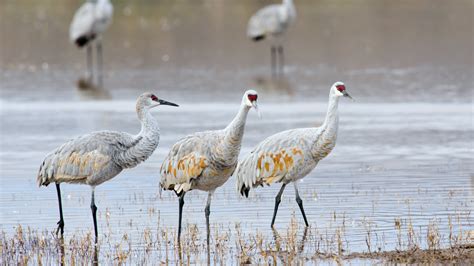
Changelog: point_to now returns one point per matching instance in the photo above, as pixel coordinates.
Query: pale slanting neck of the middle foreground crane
(229, 148)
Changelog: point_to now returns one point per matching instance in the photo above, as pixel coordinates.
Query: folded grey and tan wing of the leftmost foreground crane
(81, 157)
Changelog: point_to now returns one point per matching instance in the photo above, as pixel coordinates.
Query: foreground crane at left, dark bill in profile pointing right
(99, 156)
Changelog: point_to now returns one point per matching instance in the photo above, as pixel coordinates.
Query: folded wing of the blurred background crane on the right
(266, 20)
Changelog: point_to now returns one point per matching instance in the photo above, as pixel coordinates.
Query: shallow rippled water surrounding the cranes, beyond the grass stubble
(405, 146)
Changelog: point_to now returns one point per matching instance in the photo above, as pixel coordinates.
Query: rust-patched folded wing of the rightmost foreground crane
(275, 158)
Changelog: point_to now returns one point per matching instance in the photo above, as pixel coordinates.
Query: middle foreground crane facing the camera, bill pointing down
(205, 160)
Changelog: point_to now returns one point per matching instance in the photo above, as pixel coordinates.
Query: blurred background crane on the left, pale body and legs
(88, 24)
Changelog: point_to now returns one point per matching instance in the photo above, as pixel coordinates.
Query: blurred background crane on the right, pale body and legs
(272, 21)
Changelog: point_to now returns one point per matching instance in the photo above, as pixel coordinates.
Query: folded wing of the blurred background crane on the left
(80, 31)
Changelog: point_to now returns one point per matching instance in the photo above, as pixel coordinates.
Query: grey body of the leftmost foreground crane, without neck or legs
(94, 158)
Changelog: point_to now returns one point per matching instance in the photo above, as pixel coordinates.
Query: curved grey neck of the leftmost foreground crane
(145, 142)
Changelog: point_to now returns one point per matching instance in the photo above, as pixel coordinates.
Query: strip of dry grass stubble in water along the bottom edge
(230, 244)
